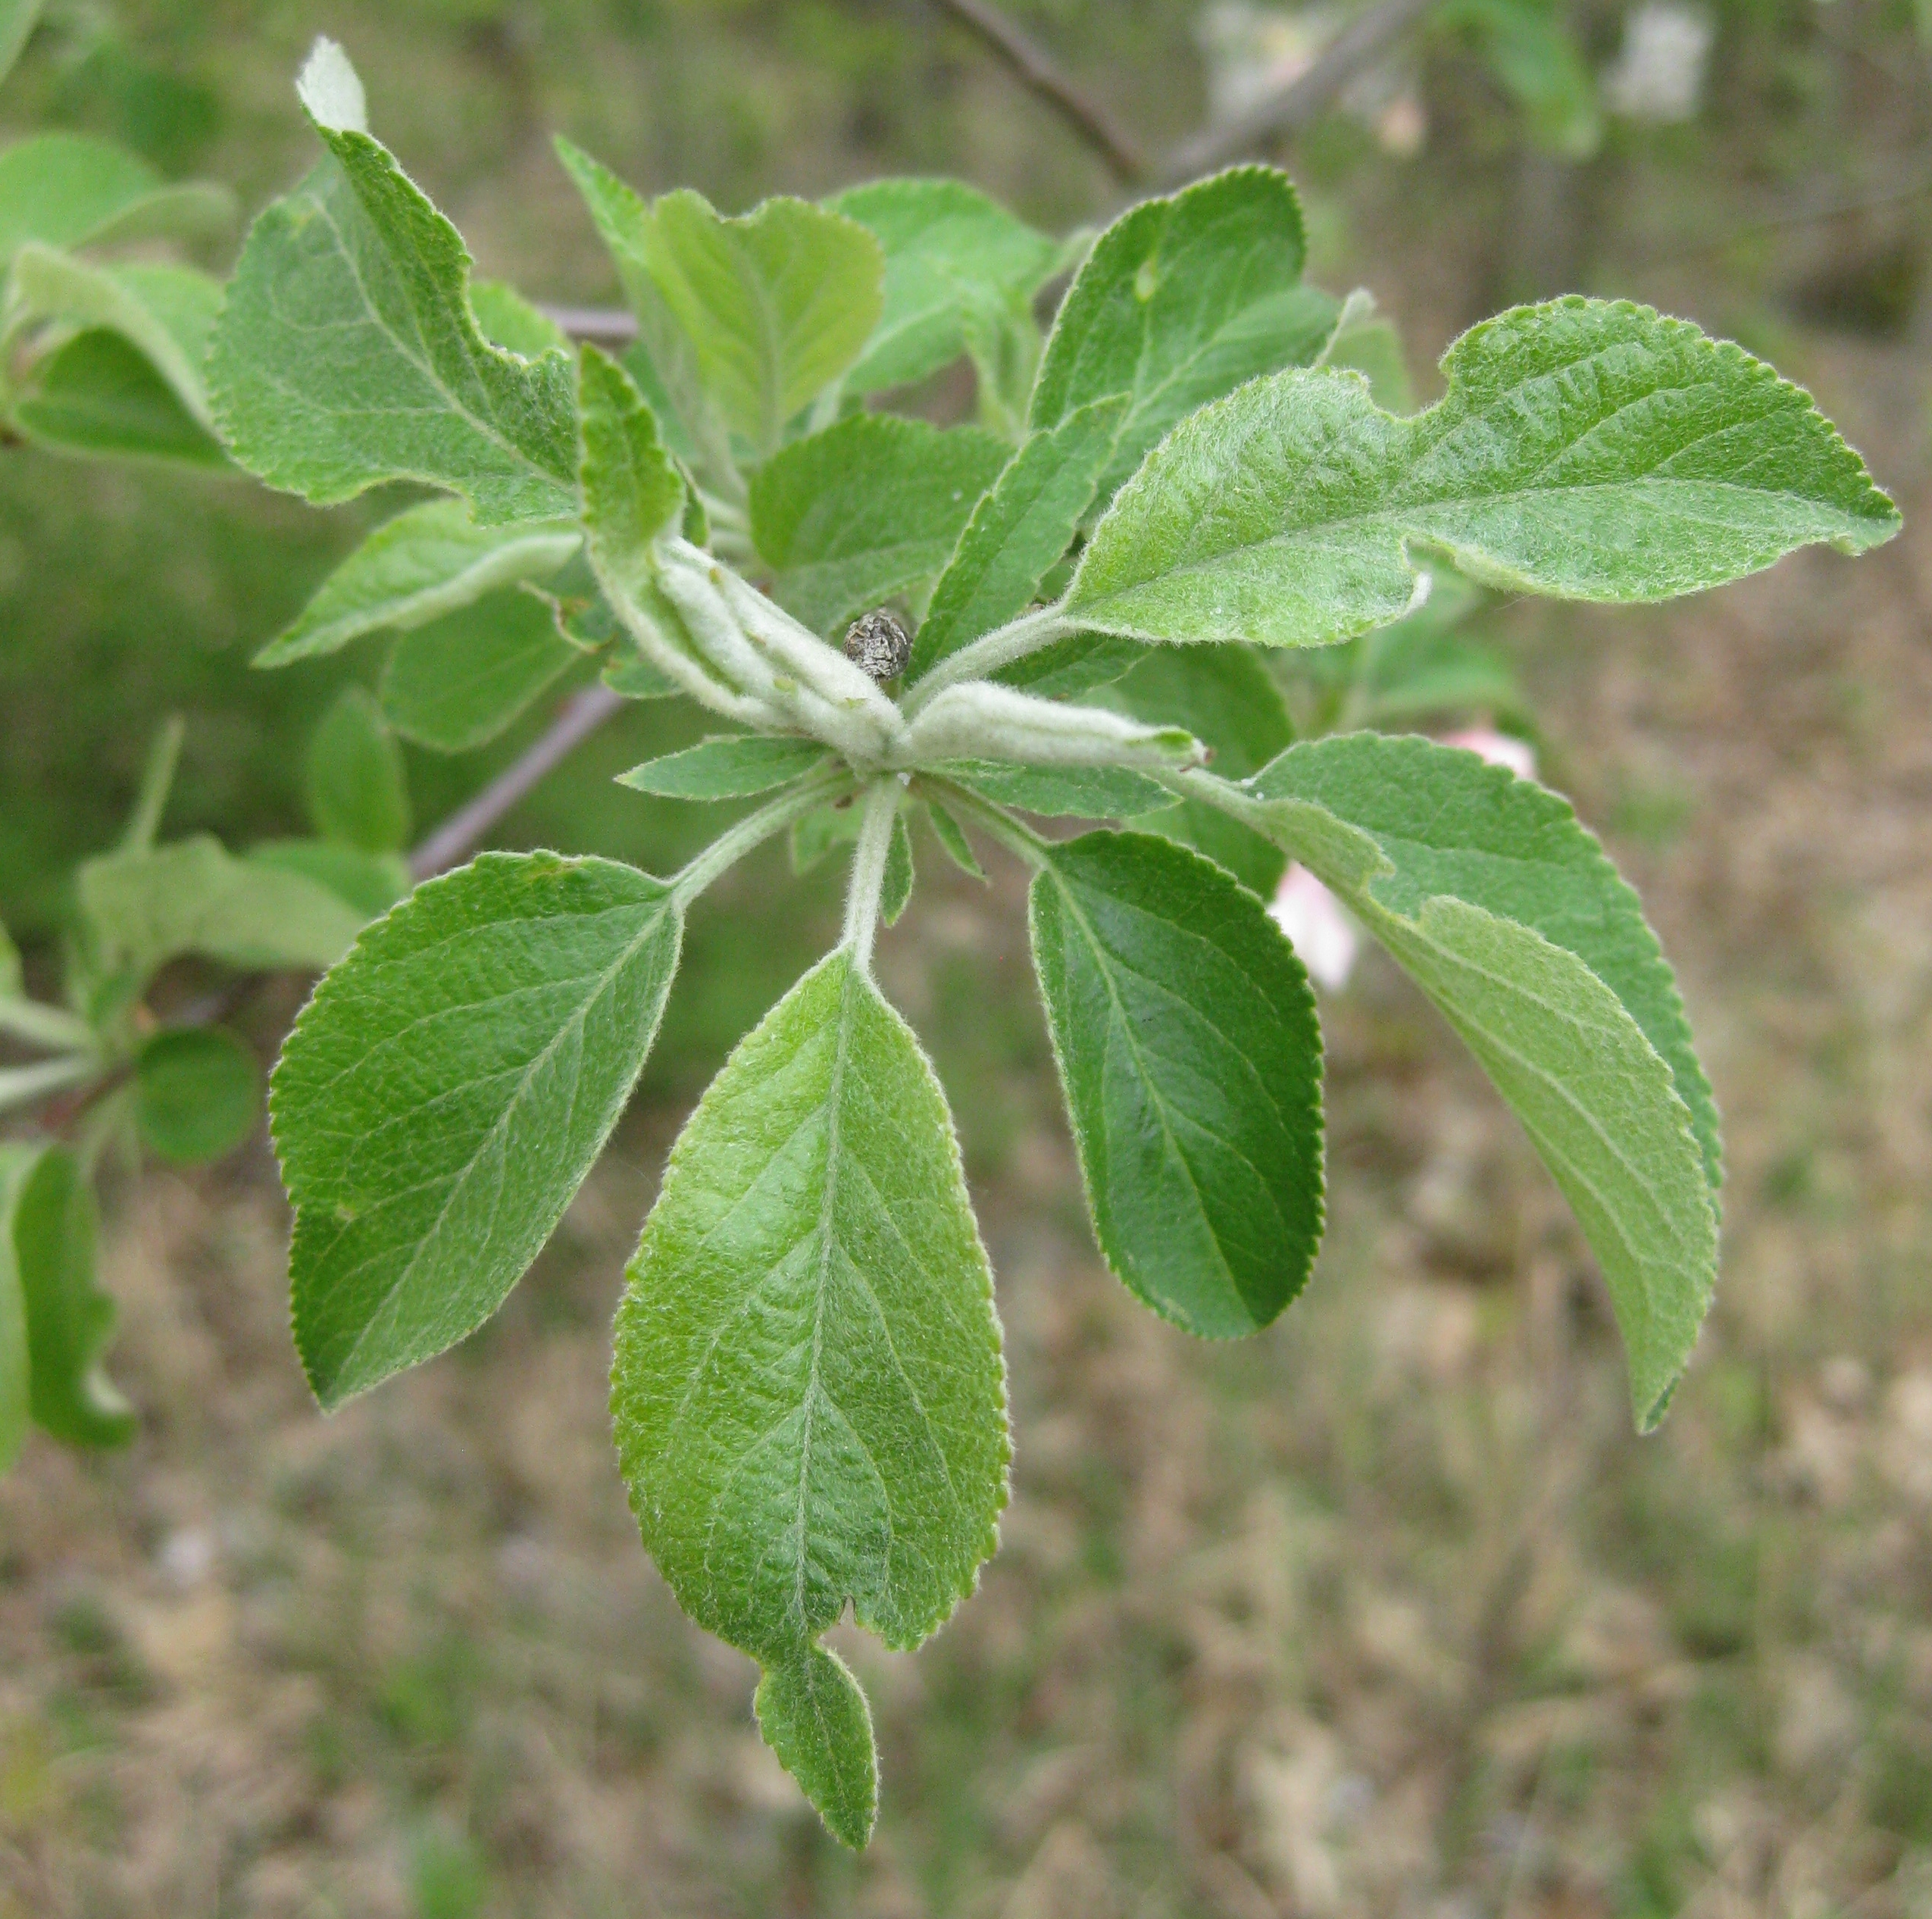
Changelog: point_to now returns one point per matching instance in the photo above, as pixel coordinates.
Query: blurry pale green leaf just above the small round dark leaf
(148, 907)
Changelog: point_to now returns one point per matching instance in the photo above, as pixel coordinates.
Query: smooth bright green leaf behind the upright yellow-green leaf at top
(955, 264)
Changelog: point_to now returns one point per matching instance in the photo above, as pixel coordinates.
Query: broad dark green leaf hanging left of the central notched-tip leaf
(445, 1093)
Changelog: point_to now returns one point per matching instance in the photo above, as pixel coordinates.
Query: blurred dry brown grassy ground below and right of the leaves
(1384, 1613)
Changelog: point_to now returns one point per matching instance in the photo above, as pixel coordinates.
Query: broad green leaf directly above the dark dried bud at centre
(867, 511)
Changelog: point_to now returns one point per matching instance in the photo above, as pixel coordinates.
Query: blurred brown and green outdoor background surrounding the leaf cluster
(1382, 1613)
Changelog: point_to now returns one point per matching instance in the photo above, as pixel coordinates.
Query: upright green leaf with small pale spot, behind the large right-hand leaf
(1181, 302)
